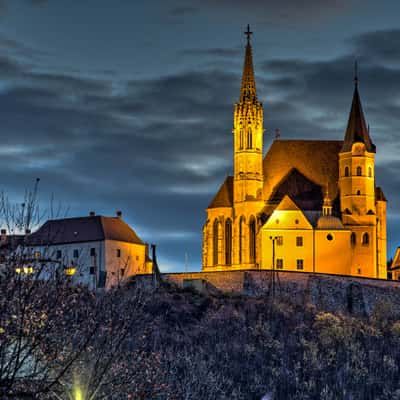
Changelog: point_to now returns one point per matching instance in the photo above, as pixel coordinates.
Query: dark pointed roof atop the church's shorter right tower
(357, 130)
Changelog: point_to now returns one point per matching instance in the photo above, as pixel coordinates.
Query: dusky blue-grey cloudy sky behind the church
(128, 105)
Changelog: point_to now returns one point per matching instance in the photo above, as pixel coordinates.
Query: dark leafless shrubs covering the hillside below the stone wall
(179, 344)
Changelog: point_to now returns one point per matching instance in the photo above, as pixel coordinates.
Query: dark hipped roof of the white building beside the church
(83, 229)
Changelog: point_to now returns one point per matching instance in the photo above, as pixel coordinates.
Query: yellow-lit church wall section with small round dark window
(332, 251)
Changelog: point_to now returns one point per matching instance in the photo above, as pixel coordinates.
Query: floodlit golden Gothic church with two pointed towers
(307, 205)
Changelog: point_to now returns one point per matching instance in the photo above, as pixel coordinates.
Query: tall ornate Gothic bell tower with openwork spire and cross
(248, 135)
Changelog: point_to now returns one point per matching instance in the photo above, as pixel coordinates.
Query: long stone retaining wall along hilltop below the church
(334, 293)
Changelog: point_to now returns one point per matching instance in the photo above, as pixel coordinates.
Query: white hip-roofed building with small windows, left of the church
(97, 251)
